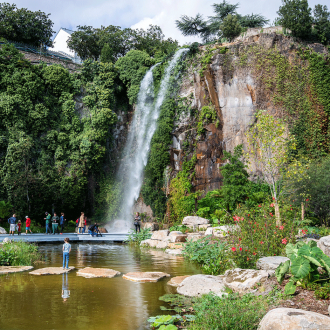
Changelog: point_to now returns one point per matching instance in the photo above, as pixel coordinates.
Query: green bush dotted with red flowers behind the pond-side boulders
(257, 234)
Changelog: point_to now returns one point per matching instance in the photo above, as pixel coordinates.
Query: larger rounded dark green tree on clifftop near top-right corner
(296, 16)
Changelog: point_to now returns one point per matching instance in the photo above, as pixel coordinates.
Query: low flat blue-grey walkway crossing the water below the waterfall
(43, 238)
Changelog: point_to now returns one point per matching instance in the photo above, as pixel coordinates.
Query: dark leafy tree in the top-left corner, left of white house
(25, 26)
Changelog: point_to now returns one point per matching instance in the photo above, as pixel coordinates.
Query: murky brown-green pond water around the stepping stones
(35, 302)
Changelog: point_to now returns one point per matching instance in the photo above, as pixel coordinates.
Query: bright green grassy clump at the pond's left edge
(18, 254)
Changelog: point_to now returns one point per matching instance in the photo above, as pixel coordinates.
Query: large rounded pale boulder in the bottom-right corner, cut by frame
(293, 319)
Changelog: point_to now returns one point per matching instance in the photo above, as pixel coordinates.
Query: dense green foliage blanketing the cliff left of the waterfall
(48, 150)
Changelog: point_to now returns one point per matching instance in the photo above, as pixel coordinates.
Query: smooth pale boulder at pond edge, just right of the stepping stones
(197, 285)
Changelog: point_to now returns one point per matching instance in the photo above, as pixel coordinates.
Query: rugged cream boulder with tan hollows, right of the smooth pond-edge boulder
(243, 280)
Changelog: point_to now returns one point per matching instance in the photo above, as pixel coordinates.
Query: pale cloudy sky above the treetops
(140, 13)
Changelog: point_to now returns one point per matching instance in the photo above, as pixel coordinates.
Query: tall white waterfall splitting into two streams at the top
(137, 147)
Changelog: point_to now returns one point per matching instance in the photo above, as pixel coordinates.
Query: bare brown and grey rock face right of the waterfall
(235, 91)
